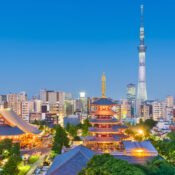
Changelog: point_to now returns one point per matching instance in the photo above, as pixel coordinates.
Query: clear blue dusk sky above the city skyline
(67, 45)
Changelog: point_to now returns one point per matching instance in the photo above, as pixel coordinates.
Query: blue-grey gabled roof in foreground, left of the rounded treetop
(72, 162)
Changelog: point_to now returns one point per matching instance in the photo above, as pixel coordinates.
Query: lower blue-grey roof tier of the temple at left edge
(10, 131)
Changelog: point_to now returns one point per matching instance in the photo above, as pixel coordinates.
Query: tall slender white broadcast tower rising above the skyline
(141, 91)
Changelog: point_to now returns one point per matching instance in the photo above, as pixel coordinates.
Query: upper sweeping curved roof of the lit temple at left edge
(17, 123)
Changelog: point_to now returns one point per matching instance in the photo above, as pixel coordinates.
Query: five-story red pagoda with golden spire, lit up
(106, 132)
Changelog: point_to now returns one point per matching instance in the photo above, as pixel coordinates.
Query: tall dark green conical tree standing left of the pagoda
(60, 139)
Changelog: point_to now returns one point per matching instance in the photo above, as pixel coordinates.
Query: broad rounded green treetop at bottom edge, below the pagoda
(108, 165)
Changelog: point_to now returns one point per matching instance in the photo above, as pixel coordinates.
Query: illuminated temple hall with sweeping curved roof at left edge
(13, 127)
